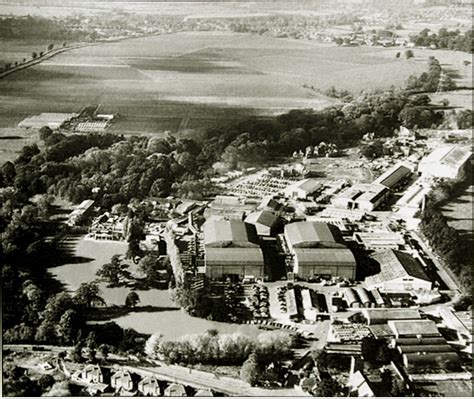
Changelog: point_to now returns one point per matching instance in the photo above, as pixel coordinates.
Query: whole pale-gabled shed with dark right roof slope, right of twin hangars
(399, 272)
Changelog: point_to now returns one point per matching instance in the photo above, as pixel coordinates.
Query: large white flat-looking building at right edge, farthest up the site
(447, 162)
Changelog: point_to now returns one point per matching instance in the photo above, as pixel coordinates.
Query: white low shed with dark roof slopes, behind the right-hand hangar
(366, 197)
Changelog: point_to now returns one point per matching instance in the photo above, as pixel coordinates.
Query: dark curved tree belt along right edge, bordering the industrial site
(446, 240)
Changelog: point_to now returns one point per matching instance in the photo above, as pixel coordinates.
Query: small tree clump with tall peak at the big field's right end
(432, 80)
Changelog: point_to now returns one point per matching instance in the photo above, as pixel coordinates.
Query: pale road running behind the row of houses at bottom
(204, 380)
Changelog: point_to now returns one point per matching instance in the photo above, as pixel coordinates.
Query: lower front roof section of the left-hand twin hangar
(233, 256)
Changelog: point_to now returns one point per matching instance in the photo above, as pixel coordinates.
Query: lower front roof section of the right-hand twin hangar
(325, 256)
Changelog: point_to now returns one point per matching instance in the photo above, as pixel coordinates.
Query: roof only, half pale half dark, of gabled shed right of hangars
(396, 264)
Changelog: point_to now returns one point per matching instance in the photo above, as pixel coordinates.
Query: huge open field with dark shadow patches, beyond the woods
(191, 80)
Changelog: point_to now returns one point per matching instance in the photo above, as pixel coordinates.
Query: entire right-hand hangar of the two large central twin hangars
(317, 249)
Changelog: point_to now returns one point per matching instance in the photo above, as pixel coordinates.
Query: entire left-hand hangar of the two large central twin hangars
(231, 250)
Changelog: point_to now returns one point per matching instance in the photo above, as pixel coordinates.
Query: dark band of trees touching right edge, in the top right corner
(445, 39)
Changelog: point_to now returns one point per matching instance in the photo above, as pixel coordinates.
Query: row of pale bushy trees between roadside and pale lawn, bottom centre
(221, 349)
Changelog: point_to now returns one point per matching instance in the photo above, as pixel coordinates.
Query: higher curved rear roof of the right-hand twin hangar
(312, 234)
